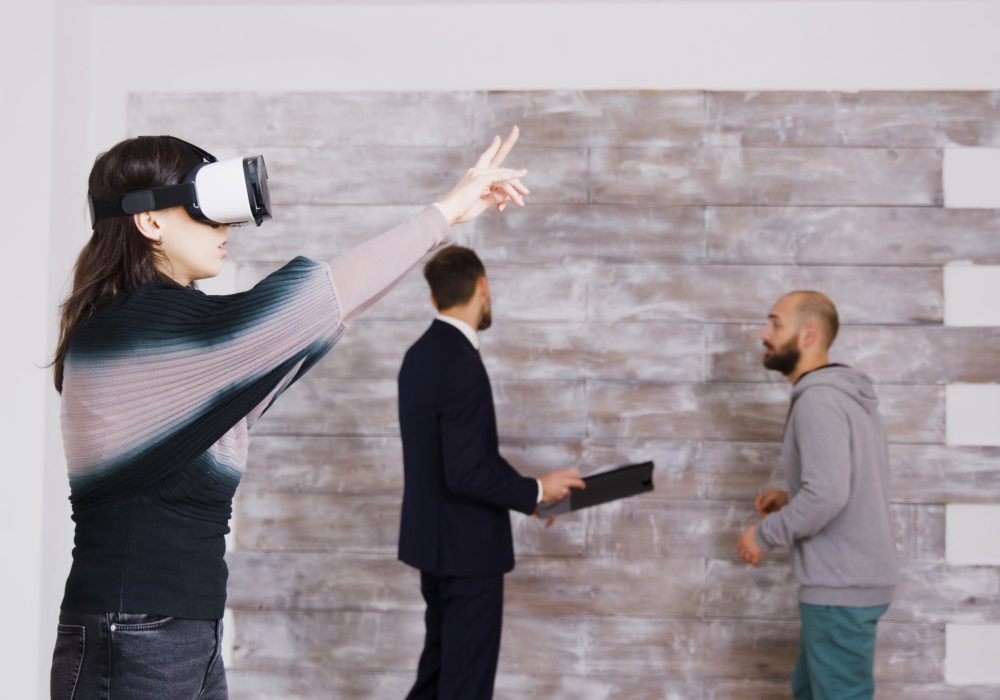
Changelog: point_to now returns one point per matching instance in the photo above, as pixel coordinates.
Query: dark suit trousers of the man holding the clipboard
(463, 620)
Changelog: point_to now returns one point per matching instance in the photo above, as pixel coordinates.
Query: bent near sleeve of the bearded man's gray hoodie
(823, 439)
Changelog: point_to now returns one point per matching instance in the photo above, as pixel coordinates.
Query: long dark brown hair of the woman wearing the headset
(118, 258)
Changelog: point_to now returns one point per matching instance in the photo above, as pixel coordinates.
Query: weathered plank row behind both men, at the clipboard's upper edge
(930, 474)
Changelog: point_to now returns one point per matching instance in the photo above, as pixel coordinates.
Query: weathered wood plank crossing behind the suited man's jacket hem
(538, 586)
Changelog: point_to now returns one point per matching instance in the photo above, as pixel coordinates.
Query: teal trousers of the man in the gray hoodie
(836, 653)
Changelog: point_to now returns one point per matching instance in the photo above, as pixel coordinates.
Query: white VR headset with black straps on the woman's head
(231, 191)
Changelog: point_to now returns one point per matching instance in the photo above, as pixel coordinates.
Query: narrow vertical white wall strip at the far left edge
(25, 180)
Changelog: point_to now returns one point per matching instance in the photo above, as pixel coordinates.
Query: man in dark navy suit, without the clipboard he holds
(455, 525)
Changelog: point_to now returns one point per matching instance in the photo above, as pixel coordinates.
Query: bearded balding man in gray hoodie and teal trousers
(835, 514)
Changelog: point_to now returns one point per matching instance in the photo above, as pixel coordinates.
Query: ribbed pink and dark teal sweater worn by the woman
(160, 389)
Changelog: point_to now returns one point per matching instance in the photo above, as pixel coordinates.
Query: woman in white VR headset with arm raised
(160, 384)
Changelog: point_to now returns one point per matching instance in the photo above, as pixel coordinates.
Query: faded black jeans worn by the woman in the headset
(128, 656)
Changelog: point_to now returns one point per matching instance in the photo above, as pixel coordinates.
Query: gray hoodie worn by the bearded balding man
(837, 522)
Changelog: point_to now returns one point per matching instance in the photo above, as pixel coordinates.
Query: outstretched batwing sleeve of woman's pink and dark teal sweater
(157, 377)
